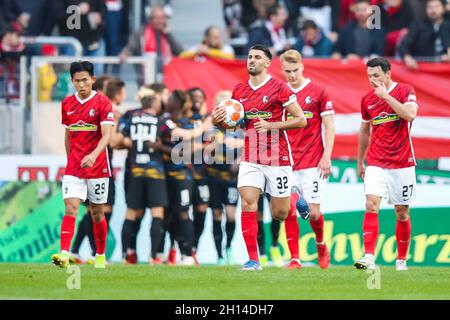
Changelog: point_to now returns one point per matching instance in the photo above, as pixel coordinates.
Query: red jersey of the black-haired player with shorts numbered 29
(83, 119)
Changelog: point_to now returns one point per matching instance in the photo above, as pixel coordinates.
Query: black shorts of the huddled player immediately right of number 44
(180, 193)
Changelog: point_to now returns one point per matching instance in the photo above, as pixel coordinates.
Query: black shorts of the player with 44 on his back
(144, 192)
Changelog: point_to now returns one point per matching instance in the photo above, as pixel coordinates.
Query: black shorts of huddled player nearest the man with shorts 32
(223, 193)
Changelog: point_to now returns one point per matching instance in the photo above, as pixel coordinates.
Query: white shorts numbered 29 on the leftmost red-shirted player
(96, 190)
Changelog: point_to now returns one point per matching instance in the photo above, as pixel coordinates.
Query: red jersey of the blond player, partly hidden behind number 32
(307, 143)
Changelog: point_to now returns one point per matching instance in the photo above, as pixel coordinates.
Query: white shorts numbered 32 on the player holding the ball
(276, 181)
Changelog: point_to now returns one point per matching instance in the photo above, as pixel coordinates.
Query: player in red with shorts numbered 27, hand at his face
(385, 144)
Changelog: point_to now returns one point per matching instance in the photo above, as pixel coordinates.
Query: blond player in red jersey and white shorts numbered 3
(312, 156)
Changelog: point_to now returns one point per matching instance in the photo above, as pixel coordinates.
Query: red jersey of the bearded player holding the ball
(267, 101)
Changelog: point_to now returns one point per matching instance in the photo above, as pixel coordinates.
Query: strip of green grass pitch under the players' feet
(44, 281)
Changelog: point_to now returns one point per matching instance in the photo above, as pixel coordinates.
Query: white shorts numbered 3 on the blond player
(310, 183)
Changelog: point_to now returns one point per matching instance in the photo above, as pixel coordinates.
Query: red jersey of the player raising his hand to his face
(390, 141)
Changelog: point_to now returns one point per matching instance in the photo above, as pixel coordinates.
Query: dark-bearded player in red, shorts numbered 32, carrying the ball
(266, 163)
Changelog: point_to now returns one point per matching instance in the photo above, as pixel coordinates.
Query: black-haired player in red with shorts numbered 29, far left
(88, 118)
